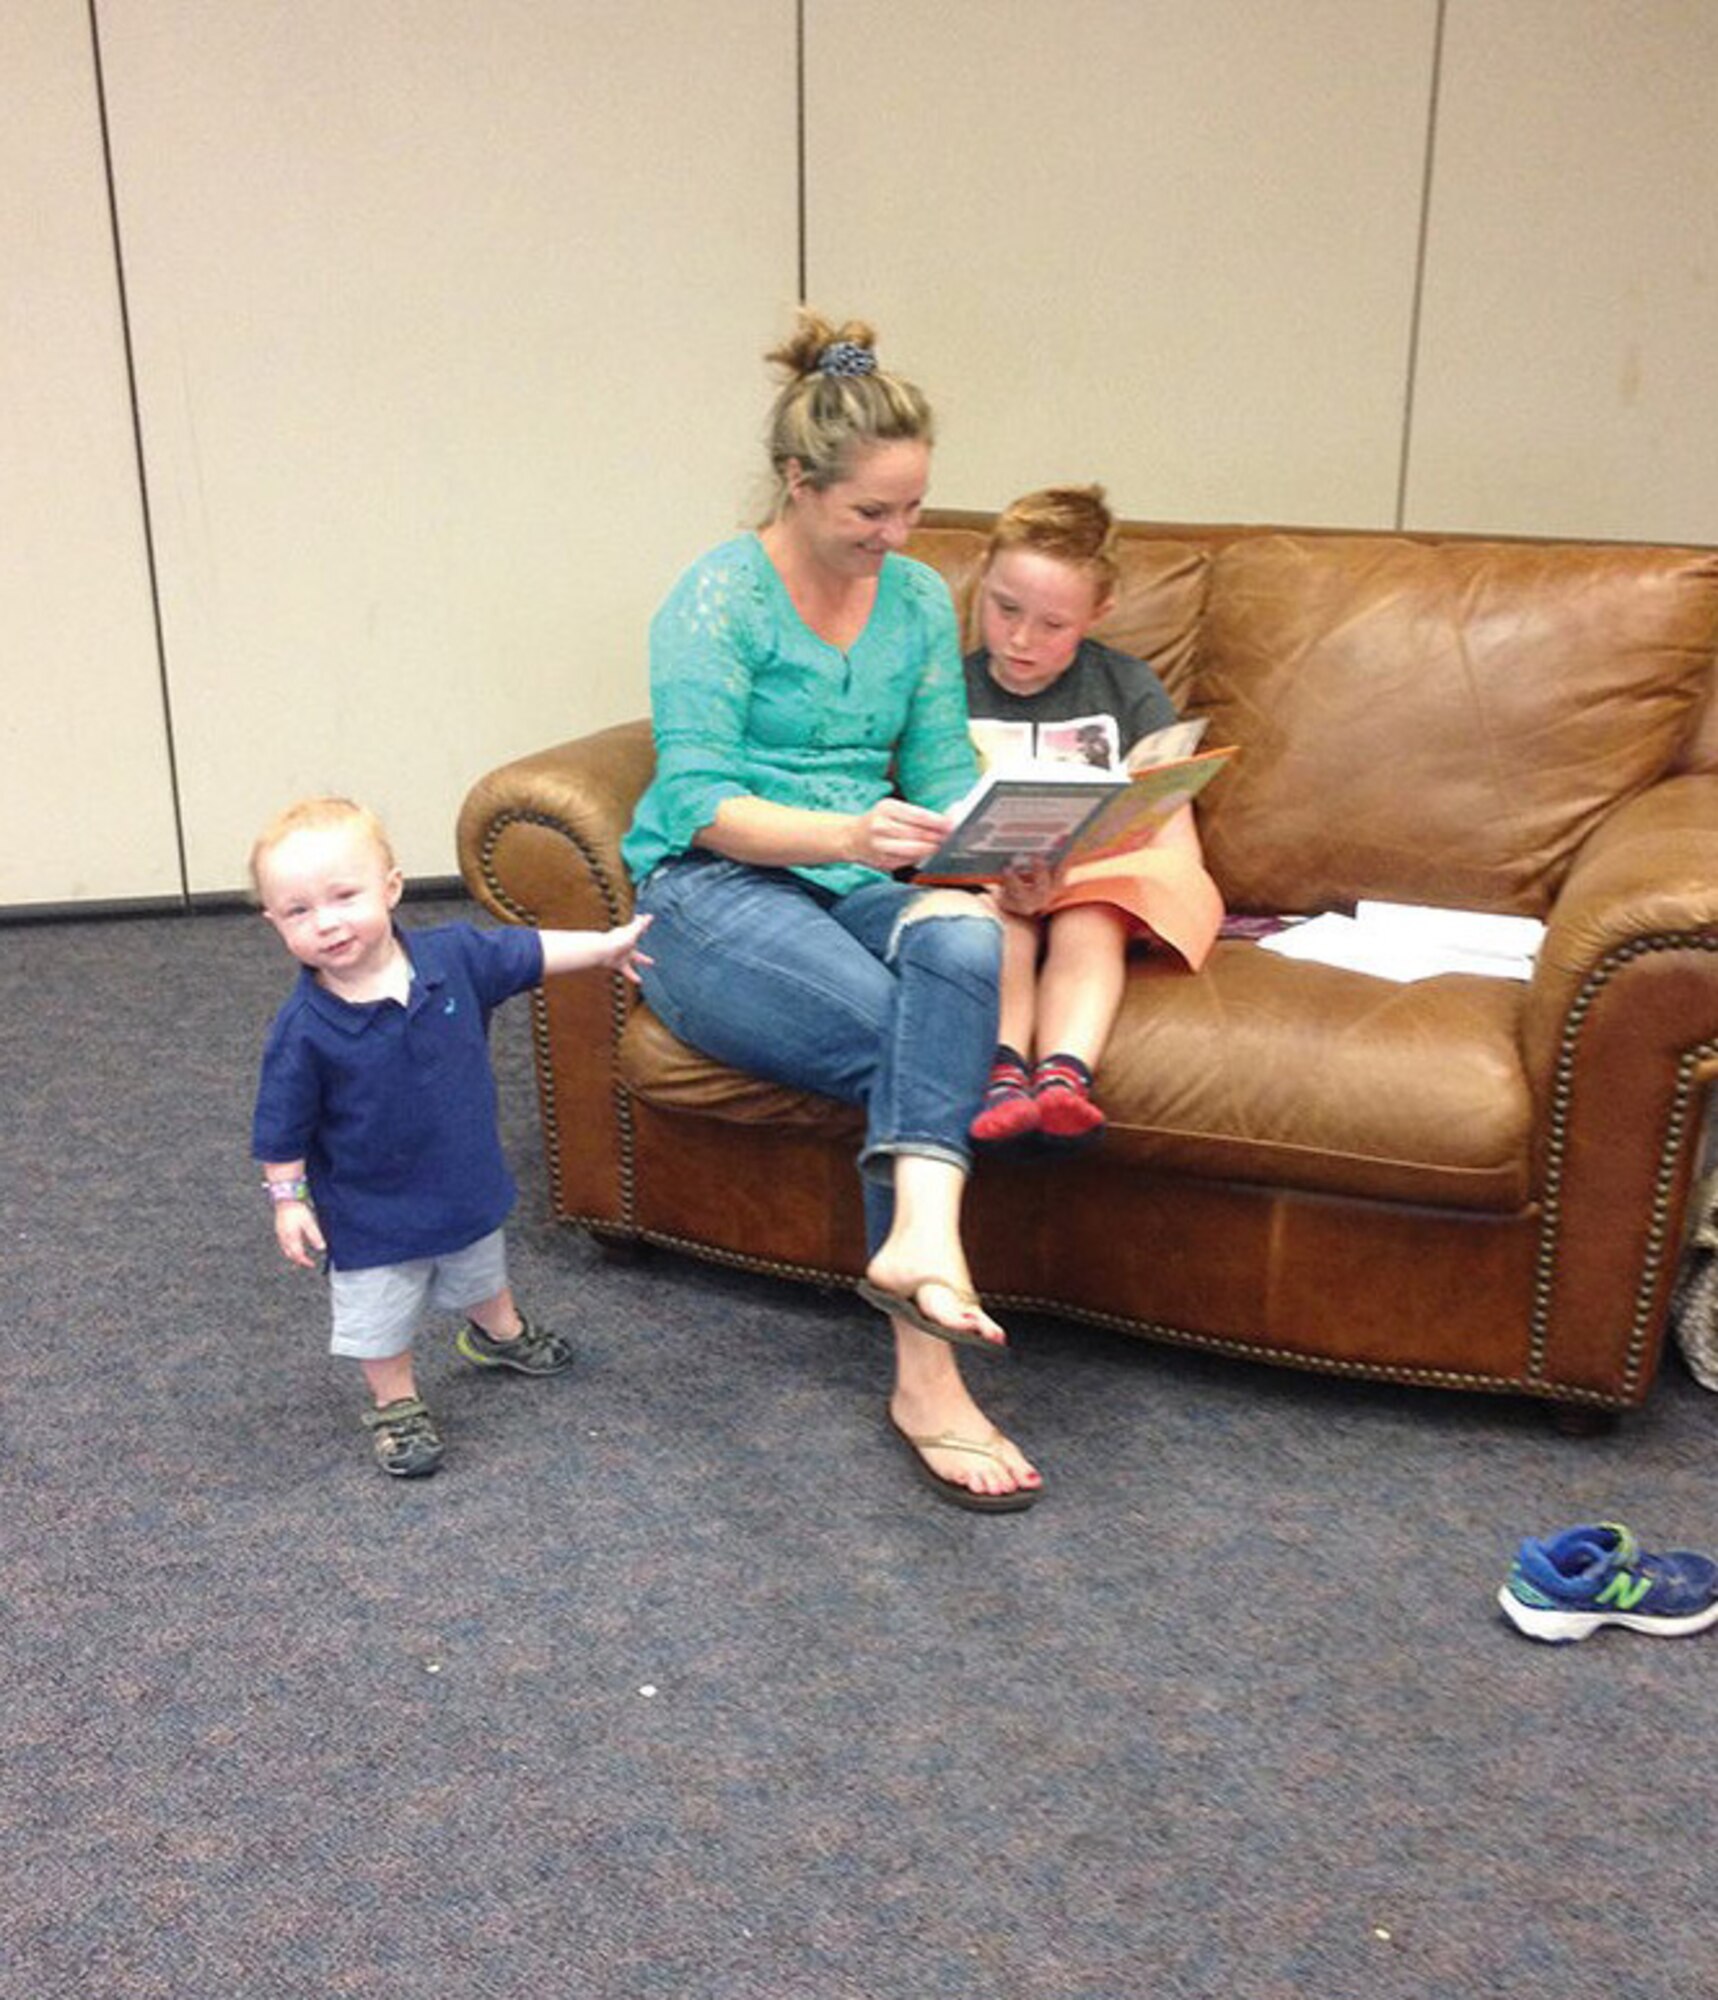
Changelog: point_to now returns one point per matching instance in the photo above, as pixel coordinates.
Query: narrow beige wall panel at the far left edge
(87, 805)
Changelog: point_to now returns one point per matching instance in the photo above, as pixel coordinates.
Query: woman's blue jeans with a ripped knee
(837, 995)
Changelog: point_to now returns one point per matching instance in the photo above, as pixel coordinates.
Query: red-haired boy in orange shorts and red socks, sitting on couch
(1049, 577)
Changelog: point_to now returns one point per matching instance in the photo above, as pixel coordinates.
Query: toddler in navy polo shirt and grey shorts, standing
(377, 1111)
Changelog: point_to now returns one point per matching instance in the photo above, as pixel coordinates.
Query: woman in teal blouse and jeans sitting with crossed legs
(811, 727)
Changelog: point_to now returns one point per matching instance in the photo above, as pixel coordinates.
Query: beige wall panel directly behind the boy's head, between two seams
(1161, 243)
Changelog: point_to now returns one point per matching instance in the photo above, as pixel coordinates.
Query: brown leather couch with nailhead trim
(1463, 1181)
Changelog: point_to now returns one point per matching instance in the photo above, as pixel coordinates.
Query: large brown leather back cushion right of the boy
(1439, 723)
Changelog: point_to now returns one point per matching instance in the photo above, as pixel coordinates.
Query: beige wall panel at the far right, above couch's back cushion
(1569, 365)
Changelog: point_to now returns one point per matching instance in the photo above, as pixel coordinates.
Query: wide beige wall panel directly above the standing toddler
(449, 325)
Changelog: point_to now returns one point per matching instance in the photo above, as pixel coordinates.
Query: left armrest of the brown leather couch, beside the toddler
(539, 845)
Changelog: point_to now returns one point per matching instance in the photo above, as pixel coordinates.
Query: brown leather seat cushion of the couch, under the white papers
(1259, 1069)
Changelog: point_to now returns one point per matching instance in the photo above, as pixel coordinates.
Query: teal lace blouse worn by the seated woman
(747, 701)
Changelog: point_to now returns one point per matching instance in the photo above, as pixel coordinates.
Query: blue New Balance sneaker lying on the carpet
(1583, 1579)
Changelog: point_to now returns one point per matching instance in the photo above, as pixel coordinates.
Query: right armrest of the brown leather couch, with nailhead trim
(1621, 1037)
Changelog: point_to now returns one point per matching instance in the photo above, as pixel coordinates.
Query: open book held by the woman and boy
(1067, 813)
